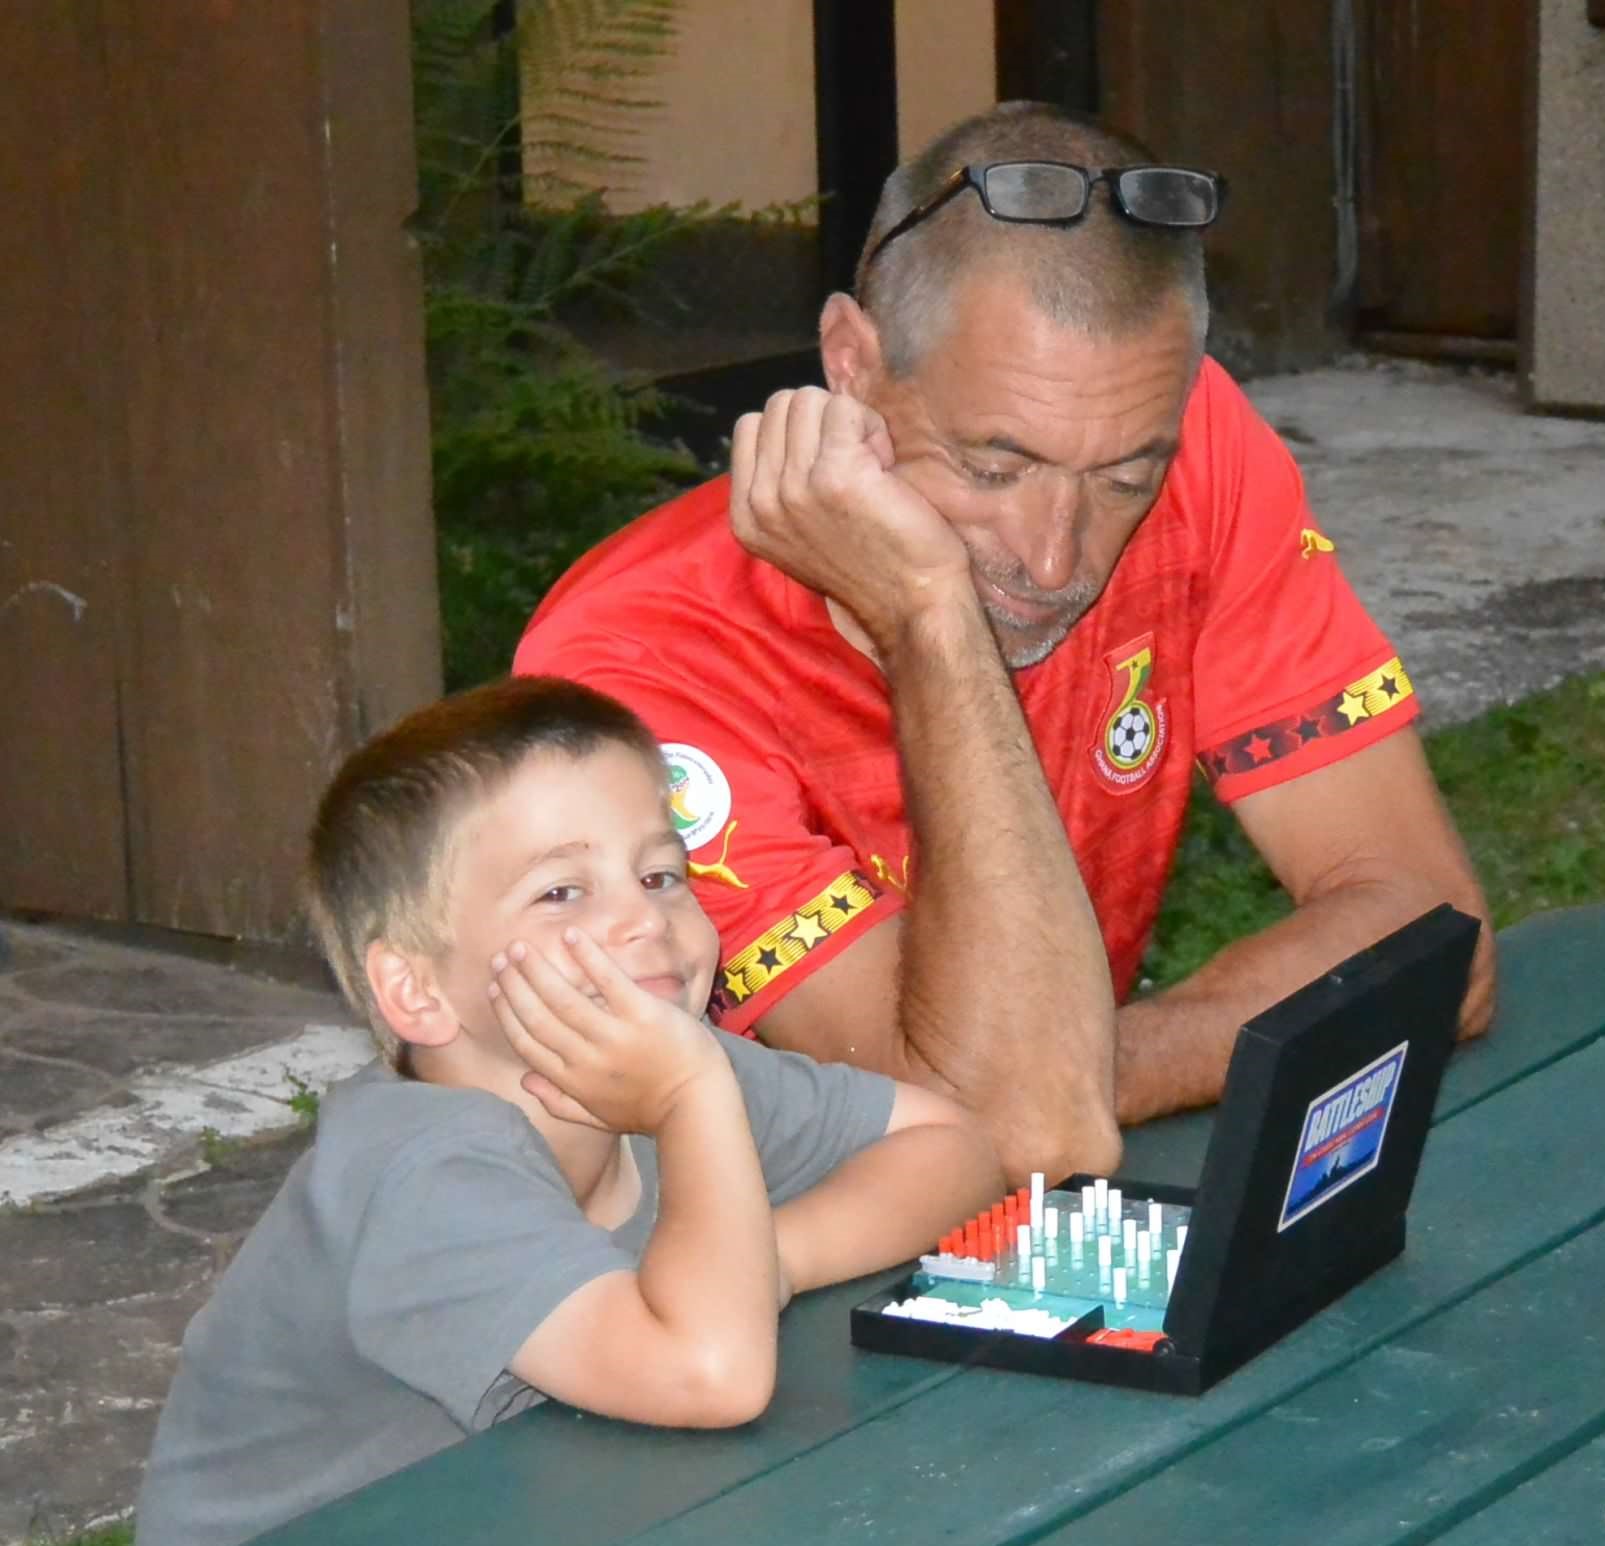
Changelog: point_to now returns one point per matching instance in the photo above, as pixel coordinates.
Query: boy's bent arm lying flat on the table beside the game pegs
(893, 1198)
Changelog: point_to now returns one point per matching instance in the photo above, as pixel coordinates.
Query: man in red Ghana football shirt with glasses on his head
(935, 664)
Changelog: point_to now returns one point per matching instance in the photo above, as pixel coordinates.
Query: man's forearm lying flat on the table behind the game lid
(1172, 1049)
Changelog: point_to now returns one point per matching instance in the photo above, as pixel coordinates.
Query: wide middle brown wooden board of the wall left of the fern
(237, 551)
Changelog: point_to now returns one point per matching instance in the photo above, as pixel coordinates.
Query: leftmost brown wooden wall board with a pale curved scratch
(63, 490)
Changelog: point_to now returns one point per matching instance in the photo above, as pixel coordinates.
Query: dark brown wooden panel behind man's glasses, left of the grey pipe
(1245, 89)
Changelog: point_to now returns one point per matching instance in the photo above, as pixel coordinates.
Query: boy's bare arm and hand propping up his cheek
(688, 1340)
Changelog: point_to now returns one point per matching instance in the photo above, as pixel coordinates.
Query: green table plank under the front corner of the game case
(993, 1455)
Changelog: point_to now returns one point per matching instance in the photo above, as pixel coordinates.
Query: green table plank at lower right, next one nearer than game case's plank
(1415, 1438)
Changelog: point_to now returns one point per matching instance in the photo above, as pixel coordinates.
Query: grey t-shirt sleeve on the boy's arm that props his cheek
(444, 1309)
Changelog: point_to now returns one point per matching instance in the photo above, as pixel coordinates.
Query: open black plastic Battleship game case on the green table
(1259, 1258)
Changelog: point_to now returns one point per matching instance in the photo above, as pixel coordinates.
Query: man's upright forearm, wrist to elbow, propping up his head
(1004, 980)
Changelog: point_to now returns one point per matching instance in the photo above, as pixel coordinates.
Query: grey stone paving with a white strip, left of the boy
(145, 1123)
